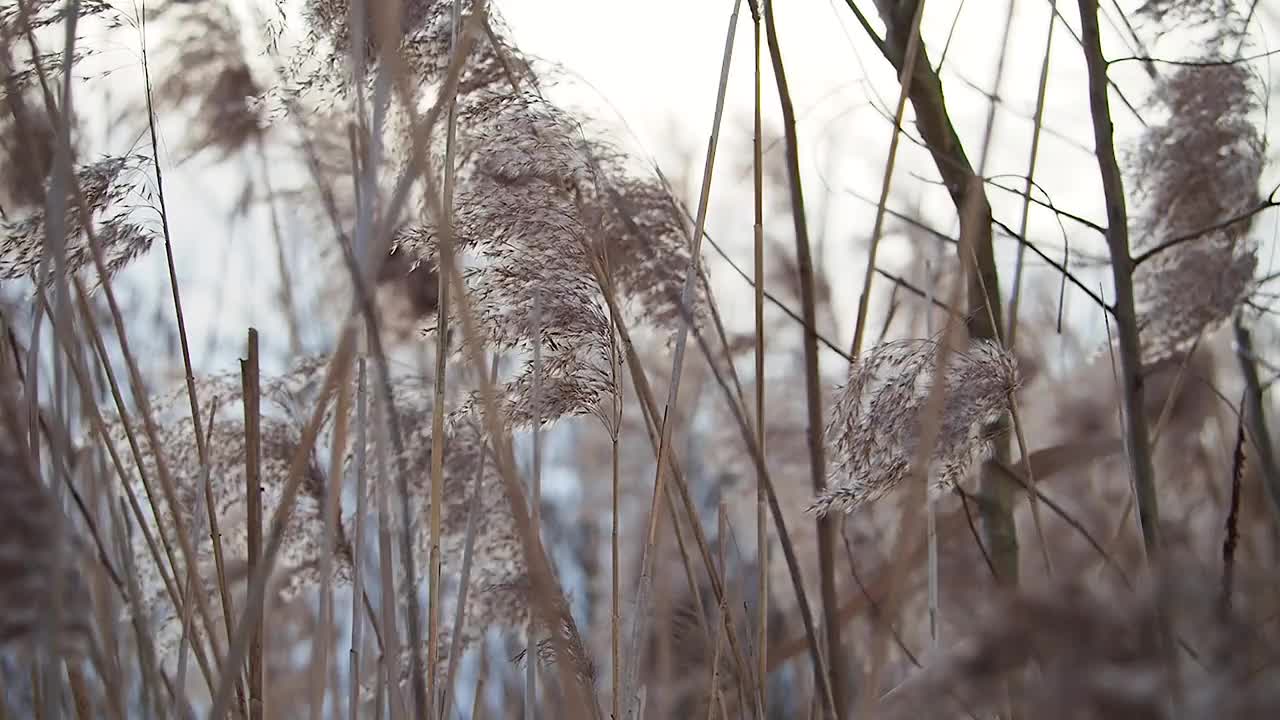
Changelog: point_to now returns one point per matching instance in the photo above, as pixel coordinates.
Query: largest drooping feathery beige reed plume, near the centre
(541, 207)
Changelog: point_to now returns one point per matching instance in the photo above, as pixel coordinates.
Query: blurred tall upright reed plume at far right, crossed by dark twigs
(1194, 175)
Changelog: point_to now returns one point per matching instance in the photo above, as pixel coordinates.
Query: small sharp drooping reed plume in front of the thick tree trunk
(876, 423)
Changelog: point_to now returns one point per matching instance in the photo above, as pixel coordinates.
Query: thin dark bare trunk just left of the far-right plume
(1122, 271)
